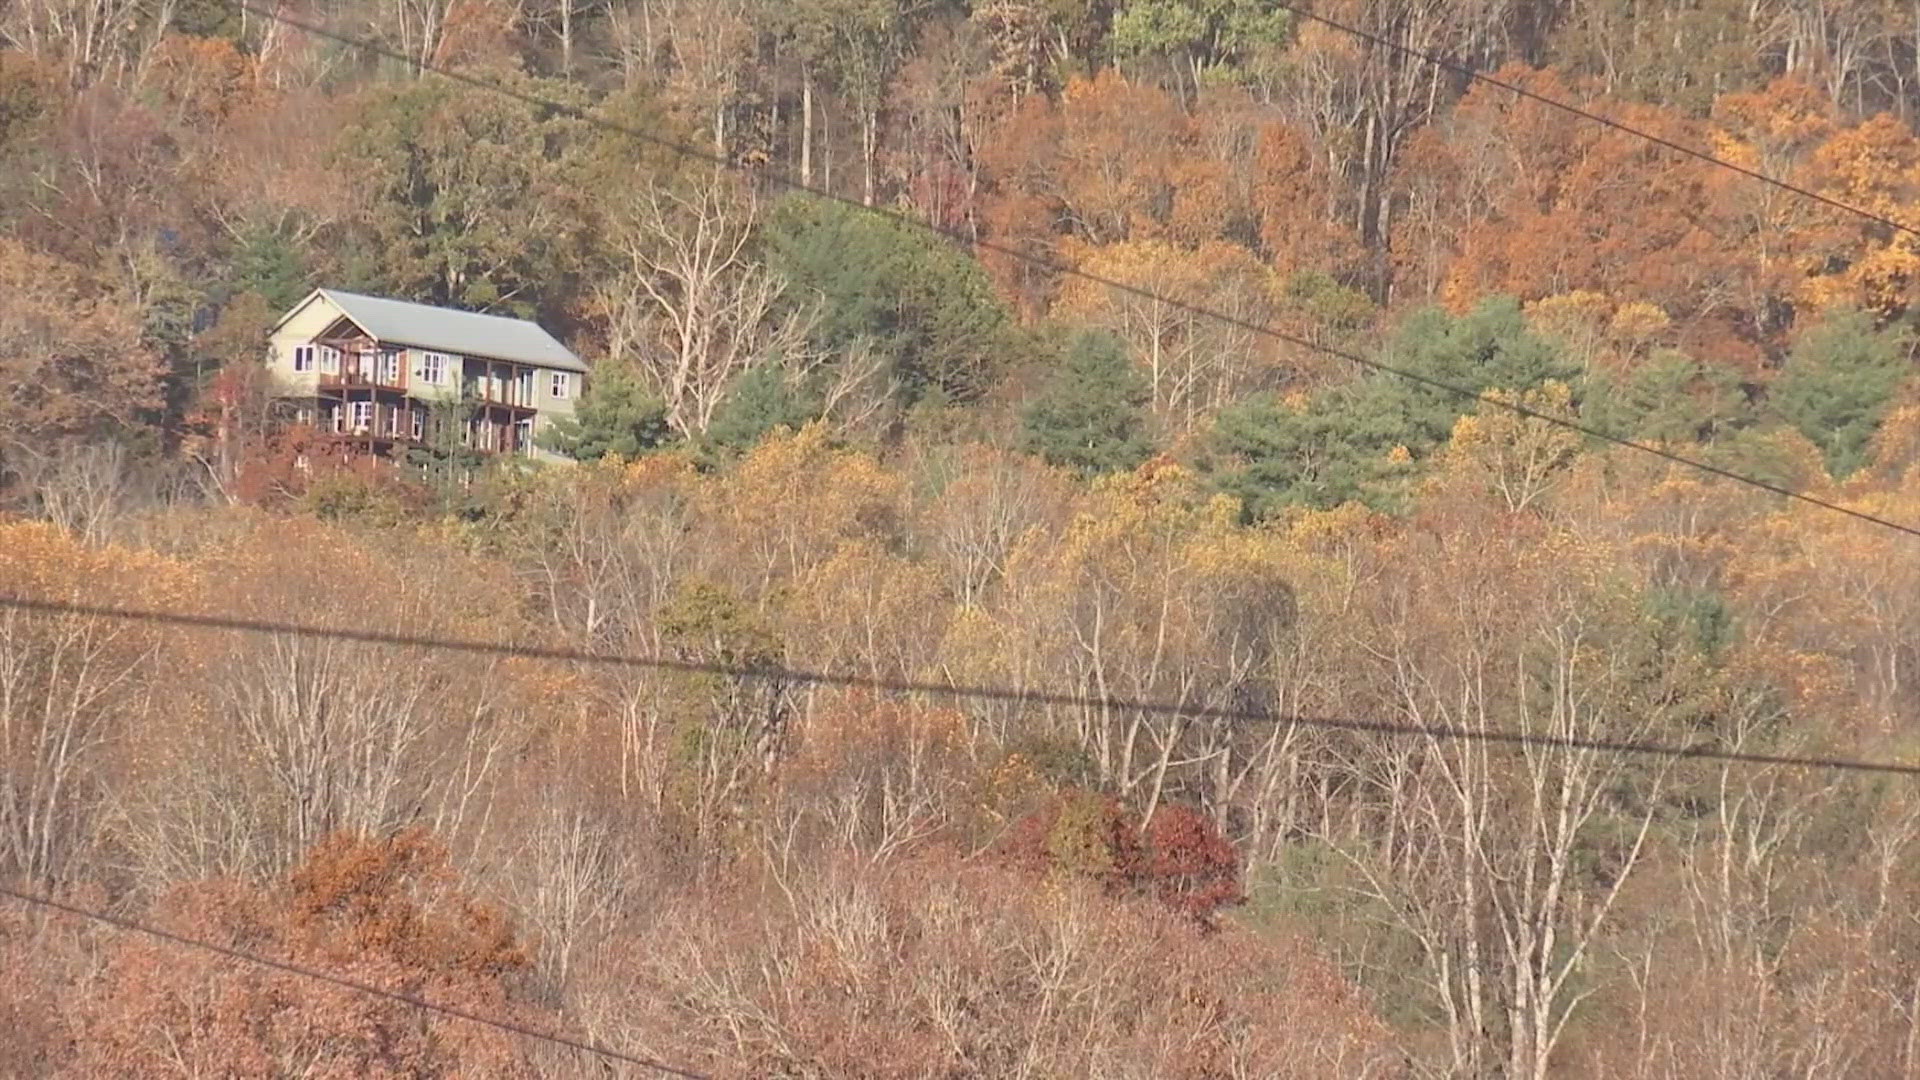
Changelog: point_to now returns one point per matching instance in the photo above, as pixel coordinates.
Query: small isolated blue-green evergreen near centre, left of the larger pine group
(1092, 416)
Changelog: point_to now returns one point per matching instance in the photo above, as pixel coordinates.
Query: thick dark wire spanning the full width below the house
(1019, 697)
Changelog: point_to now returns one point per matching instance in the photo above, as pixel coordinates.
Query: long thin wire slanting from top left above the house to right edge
(1051, 266)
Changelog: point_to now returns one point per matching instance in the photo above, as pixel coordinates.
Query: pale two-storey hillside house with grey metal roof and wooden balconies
(377, 378)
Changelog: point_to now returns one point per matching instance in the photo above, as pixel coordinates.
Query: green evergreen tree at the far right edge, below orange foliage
(1838, 383)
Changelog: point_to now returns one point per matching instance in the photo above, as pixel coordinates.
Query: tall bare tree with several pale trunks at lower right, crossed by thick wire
(1504, 864)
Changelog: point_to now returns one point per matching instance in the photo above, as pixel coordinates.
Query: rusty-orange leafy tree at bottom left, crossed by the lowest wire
(379, 912)
